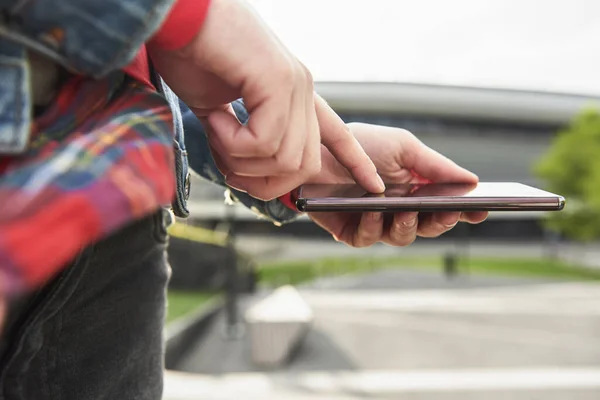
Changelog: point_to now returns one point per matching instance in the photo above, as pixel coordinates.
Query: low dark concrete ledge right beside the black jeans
(183, 332)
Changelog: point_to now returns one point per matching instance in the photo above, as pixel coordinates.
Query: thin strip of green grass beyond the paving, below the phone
(276, 274)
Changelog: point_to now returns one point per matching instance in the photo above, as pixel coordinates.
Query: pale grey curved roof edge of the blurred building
(455, 102)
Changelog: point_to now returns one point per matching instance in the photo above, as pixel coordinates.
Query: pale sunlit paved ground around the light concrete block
(413, 335)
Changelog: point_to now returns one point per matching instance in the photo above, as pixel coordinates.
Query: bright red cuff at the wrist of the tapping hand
(182, 24)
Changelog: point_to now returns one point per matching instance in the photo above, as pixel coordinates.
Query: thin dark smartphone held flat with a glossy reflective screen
(430, 197)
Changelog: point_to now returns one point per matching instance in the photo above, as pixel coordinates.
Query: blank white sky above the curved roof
(551, 45)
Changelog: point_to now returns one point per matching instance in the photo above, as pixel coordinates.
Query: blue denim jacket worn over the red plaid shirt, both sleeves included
(93, 38)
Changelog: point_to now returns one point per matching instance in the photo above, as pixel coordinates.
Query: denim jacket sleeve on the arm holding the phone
(202, 162)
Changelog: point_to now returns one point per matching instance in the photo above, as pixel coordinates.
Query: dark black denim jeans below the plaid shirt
(95, 332)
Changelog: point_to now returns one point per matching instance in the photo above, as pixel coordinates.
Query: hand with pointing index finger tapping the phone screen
(234, 56)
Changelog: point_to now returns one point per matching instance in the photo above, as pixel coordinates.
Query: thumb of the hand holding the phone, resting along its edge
(431, 165)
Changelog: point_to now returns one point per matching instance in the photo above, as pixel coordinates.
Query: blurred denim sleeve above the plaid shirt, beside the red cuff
(91, 37)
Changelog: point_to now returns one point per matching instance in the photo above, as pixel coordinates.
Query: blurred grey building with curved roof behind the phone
(497, 133)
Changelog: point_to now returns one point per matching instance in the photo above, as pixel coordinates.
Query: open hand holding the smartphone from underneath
(400, 158)
